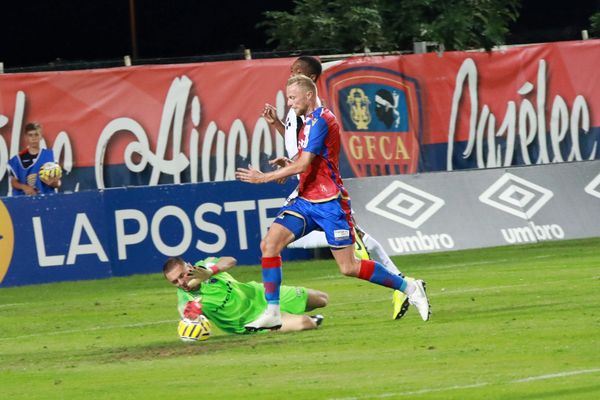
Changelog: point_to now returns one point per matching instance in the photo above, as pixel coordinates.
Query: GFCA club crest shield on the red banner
(380, 114)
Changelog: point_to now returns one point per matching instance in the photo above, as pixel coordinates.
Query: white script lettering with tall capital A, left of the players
(171, 128)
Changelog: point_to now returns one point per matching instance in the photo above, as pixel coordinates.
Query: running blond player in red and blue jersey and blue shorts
(322, 203)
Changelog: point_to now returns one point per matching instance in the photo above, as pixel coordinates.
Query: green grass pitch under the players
(519, 322)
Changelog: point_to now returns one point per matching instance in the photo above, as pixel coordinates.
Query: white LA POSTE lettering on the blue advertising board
(136, 235)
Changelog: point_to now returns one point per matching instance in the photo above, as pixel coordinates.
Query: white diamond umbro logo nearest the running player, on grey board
(405, 204)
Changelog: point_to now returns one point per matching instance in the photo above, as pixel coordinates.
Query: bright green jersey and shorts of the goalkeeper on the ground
(230, 304)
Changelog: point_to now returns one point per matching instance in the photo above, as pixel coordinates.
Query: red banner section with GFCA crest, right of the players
(523, 105)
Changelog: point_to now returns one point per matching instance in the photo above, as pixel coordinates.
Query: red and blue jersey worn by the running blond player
(321, 136)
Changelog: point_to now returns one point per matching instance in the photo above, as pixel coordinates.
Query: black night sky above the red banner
(45, 32)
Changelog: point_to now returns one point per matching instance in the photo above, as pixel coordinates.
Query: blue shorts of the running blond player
(301, 217)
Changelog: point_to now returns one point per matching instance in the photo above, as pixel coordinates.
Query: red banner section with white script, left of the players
(156, 117)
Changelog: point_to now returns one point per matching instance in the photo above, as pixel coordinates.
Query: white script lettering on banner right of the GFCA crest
(527, 120)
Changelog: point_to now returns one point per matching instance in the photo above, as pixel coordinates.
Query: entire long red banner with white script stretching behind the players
(400, 114)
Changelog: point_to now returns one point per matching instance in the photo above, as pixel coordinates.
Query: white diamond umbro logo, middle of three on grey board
(516, 196)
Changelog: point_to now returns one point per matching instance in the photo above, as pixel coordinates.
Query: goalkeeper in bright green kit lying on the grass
(205, 288)
